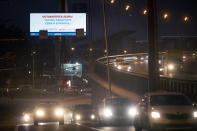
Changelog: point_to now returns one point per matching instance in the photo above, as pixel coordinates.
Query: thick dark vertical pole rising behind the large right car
(153, 82)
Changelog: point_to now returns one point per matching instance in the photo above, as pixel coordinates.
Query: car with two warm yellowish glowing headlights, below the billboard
(49, 112)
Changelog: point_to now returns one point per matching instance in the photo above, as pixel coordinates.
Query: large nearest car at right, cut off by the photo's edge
(165, 110)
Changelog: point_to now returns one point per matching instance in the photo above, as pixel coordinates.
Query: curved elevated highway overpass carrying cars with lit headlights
(133, 83)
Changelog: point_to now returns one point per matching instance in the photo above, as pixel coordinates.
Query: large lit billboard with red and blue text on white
(57, 24)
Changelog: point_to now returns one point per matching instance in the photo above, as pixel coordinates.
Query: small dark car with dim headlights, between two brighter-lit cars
(84, 113)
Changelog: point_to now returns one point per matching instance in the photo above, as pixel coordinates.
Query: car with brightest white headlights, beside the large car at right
(117, 110)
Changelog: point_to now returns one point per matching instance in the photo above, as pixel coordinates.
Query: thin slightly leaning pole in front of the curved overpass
(107, 49)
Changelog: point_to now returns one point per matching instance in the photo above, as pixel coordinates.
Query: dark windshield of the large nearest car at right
(166, 100)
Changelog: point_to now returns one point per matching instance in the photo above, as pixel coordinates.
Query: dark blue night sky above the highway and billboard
(17, 11)
